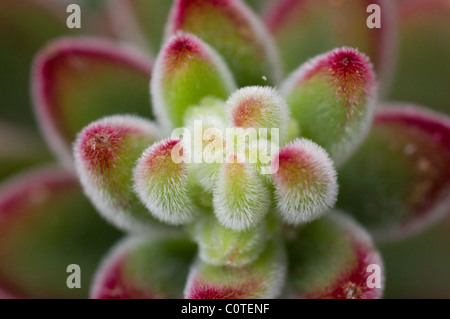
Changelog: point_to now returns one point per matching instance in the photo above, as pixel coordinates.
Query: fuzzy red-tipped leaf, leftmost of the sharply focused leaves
(105, 154)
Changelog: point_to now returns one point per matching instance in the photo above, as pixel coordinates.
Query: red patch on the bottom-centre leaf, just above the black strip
(202, 290)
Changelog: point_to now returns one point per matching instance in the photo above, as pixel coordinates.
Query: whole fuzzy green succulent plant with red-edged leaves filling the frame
(235, 149)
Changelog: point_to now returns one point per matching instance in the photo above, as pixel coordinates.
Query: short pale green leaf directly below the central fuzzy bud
(221, 246)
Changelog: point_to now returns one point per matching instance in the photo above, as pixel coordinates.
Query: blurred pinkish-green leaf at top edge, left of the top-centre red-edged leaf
(140, 21)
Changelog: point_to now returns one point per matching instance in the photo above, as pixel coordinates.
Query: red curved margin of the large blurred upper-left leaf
(66, 54)
